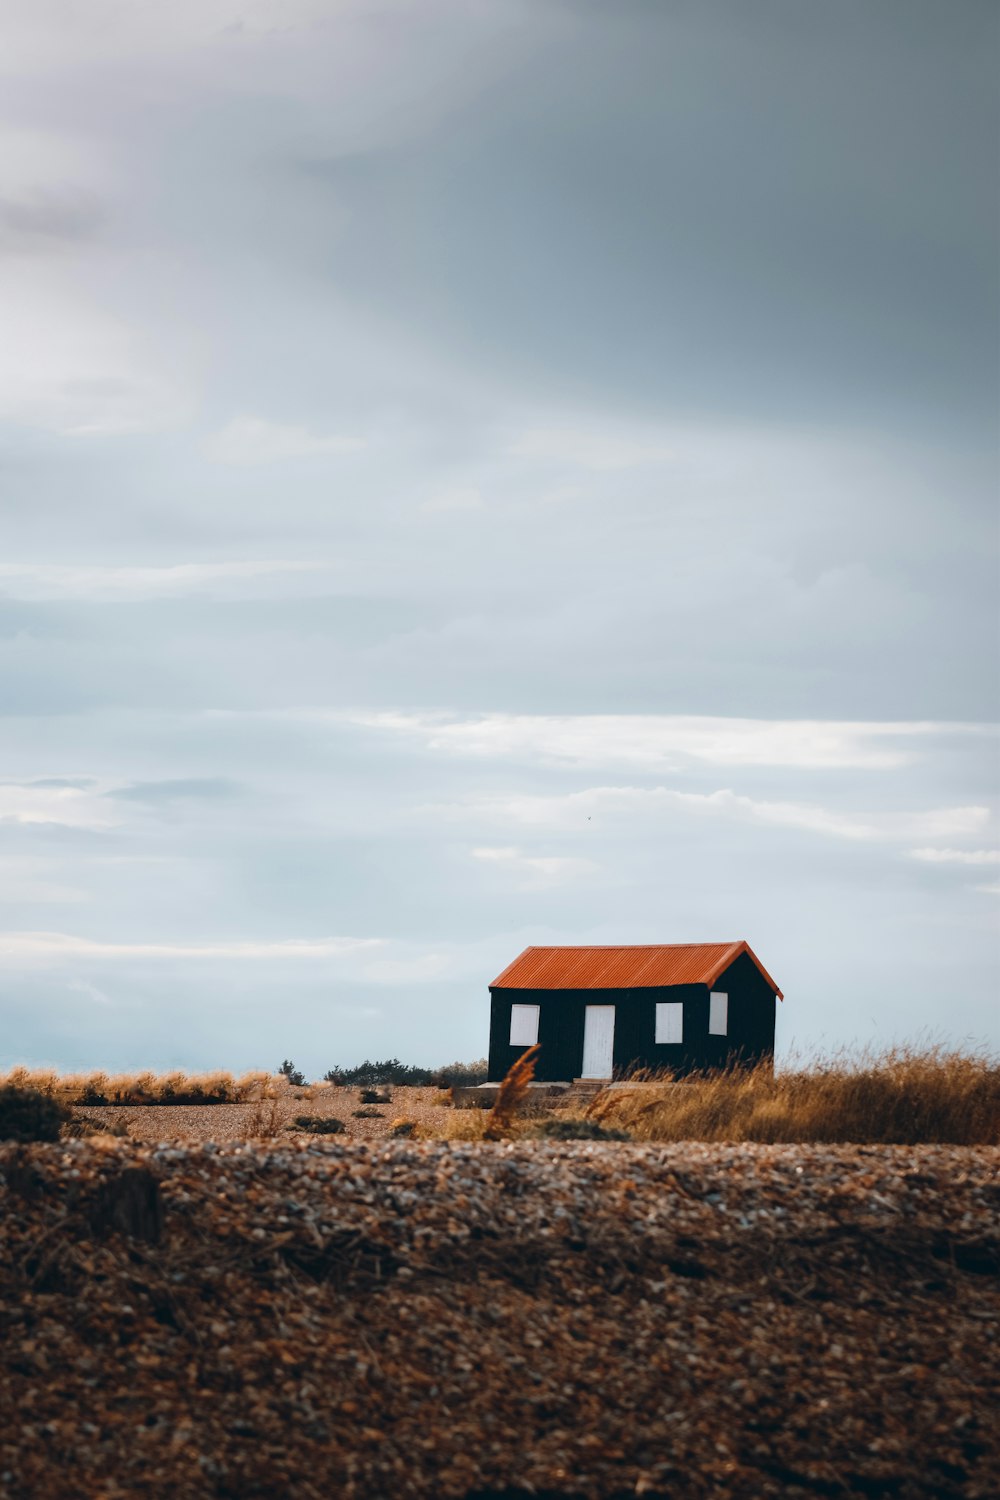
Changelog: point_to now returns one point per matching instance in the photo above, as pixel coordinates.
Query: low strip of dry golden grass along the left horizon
(145, 1088)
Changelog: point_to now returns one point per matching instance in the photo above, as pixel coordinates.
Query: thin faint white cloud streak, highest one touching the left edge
(130, 584)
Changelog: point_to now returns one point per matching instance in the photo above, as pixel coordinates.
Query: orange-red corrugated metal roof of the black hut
(641, 967)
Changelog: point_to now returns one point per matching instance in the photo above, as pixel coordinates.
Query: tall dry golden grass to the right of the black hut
(899, 1097)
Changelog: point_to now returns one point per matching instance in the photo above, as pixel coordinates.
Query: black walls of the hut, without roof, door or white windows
(752, 1018)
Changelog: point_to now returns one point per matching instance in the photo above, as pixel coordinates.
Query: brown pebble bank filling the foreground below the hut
(320, 1319)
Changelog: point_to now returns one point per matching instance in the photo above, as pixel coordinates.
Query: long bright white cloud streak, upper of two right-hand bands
(668, 742)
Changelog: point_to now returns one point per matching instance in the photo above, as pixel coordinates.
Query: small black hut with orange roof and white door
(599, 1012)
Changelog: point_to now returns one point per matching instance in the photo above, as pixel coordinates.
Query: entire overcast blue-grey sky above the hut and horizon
(482, 475)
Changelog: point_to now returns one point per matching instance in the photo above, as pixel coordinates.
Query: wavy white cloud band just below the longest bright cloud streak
(623, 803)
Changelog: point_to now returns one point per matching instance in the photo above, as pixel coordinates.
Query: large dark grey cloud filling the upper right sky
(782, 269)
